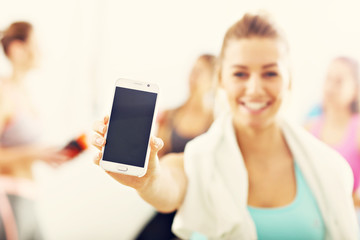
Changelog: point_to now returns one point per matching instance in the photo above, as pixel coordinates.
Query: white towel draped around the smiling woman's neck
(215, 204)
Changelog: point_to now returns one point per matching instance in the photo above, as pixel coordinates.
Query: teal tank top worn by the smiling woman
(301, 219)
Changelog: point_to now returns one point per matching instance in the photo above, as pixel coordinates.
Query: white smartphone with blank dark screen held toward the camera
(132, 116)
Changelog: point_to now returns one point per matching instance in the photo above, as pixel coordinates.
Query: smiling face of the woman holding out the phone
(255, 78)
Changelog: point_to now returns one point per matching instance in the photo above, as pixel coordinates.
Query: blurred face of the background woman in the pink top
(340, 86)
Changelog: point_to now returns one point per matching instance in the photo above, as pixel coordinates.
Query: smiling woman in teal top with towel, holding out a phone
(253, 174)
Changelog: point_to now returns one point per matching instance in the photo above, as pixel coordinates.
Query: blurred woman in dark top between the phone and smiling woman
(180, 125)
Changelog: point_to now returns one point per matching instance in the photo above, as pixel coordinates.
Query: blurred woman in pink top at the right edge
(338, 124)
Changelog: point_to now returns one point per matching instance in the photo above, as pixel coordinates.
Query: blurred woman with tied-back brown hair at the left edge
(19, 135)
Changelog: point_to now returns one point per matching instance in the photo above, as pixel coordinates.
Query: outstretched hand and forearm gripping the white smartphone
(164, 184)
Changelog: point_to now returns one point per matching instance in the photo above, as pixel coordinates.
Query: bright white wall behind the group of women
(86, 45)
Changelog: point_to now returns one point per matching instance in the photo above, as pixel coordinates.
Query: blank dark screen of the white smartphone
(129, 126)
